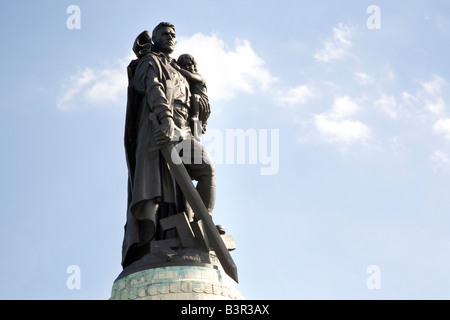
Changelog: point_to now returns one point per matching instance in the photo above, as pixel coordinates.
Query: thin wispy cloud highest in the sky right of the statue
(337, 47)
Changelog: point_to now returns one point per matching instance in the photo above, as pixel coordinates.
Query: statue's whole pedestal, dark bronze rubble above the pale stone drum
(181, 268)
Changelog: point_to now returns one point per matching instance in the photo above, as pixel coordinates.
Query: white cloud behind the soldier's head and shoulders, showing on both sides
(227, 72)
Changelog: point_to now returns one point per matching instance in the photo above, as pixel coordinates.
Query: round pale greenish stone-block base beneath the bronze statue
(176, 283)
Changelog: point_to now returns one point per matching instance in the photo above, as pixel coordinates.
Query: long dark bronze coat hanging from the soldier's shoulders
(150, 89)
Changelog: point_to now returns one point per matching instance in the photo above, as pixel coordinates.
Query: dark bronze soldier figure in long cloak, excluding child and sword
(159, 111)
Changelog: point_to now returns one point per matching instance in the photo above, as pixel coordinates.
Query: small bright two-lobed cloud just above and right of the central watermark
(336, 125)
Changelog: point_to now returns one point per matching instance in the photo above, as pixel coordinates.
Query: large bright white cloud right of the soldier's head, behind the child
(227, 71)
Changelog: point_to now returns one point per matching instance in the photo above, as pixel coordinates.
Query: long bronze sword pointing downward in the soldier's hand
(183, 179)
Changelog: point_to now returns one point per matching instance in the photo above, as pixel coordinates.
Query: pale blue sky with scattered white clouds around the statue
(360, 151)
